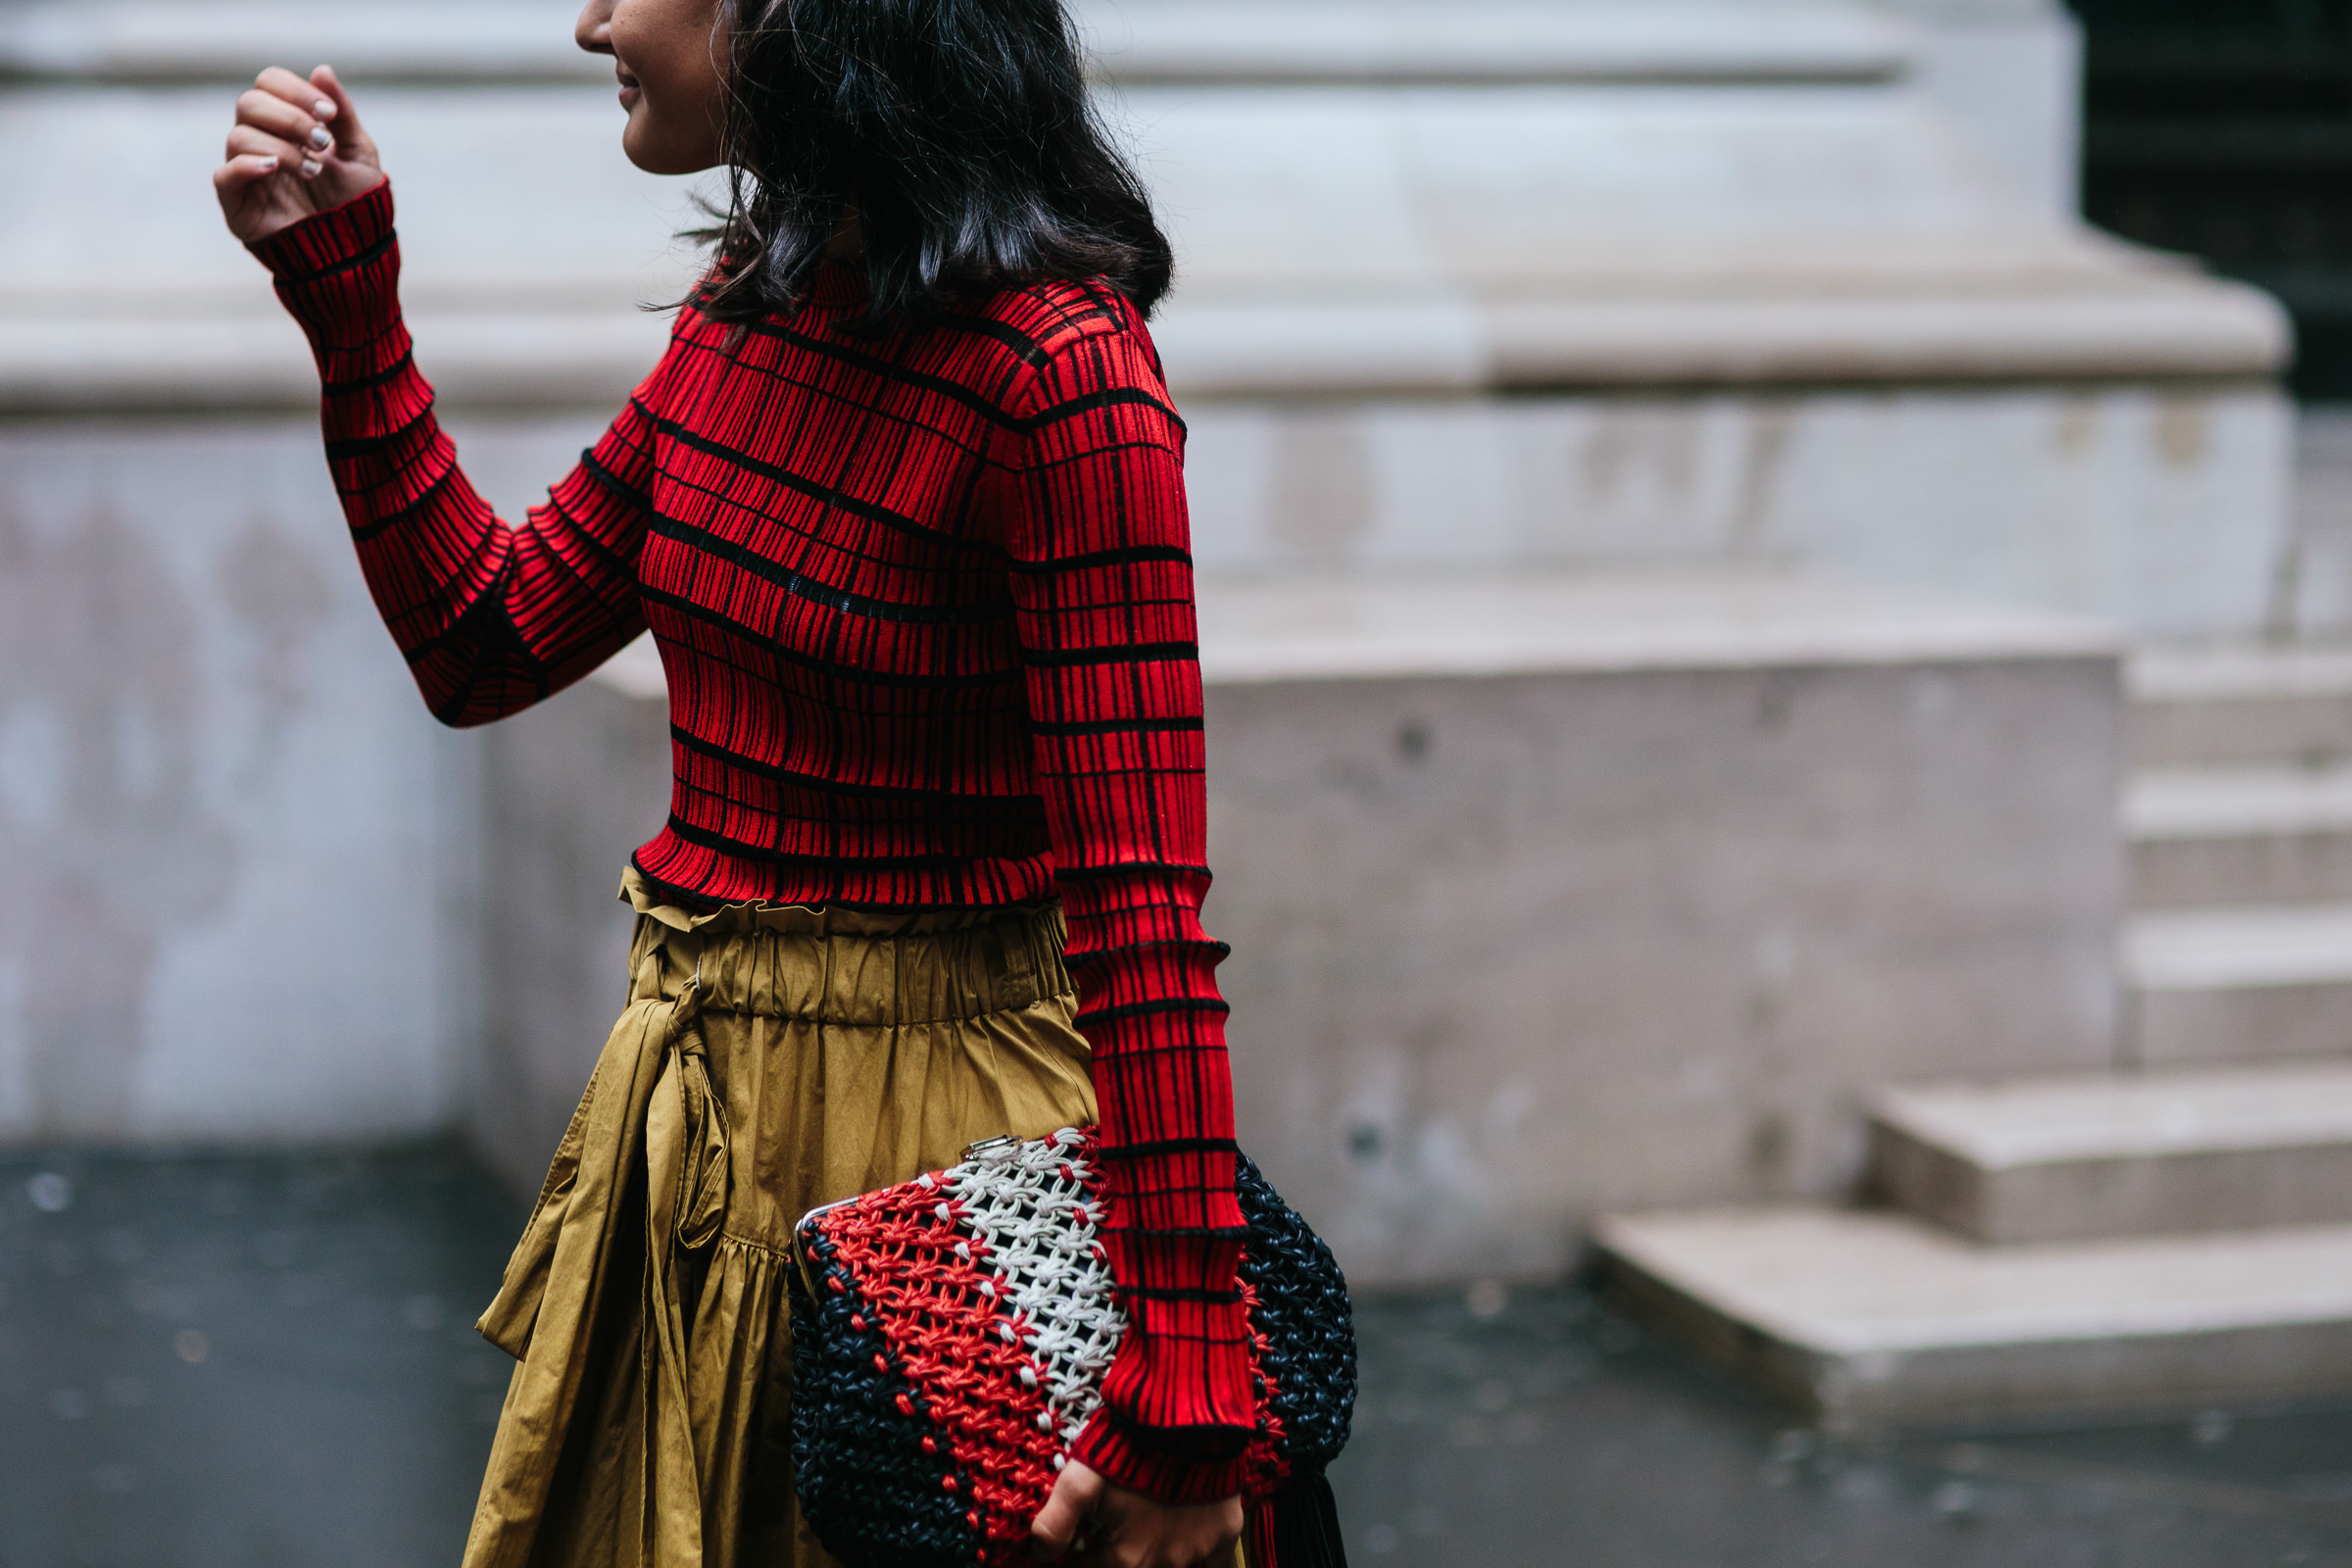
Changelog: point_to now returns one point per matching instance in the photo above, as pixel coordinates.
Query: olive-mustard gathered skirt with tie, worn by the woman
(768, 1061)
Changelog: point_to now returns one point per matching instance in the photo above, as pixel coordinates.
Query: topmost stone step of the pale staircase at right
(2243, 706)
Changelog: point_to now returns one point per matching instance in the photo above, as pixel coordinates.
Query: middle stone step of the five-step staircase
(2240, 984)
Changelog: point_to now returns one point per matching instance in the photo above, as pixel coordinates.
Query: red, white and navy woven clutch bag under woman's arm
(951, 1339)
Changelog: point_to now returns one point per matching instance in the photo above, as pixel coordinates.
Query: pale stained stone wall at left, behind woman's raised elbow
(241, 852)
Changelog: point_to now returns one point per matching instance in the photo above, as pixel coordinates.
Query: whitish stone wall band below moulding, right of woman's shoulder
(2141, 507)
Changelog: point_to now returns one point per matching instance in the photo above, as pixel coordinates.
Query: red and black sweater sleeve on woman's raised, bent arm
(490, 617)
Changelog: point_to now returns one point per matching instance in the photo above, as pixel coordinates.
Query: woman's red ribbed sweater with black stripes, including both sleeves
(928, 622)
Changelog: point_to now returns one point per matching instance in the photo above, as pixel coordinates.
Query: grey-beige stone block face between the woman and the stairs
(1511, 953)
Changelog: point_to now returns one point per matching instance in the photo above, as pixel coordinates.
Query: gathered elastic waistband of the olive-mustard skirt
(850, 967)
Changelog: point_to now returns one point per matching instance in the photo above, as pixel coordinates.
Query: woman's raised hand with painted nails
(295, 149)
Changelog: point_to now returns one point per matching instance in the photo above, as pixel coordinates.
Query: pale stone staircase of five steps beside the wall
(2167, 1235)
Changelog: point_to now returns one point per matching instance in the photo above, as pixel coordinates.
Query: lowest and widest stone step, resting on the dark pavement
(1871, 1320)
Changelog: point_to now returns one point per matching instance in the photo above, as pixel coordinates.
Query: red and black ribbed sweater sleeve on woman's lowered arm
(1104, 598)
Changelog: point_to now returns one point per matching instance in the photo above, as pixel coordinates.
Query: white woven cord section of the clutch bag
(1038, 1242)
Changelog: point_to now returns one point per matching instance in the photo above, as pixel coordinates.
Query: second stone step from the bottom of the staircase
(2090, 1158)
